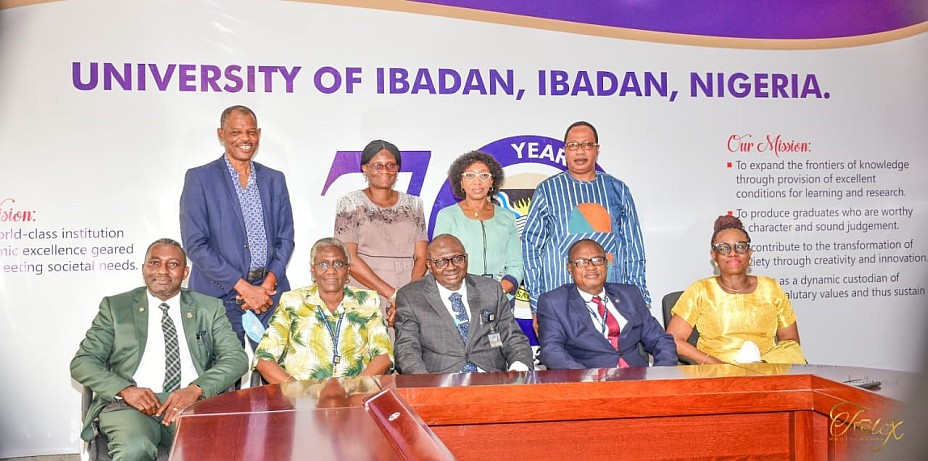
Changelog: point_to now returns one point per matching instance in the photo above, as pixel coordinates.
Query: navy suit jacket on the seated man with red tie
(569, 339)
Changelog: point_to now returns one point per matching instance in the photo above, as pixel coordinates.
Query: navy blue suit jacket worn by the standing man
(213, 228)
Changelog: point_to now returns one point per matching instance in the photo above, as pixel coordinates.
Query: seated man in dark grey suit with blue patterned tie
(450, 321)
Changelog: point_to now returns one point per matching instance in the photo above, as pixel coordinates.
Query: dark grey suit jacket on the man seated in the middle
(427, 340)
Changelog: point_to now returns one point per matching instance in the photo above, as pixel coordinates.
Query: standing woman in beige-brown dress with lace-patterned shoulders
(384, 229)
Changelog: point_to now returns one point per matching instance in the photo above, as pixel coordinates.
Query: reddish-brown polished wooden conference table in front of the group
(761, 410)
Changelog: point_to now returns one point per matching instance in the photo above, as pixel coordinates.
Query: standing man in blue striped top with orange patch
(581, 203)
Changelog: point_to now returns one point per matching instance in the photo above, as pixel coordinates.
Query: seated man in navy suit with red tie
(594, 324)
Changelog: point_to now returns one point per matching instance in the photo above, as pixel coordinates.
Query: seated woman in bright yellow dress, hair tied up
(741, 318)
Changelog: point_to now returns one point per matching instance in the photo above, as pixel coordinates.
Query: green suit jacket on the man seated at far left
(111, 351)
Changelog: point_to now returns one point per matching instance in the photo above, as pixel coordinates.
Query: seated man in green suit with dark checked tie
(143, 345)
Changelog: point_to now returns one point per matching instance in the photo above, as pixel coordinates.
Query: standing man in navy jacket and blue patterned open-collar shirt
(237, 224)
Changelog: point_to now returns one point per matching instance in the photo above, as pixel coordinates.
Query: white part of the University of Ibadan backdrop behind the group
(105, 105)
